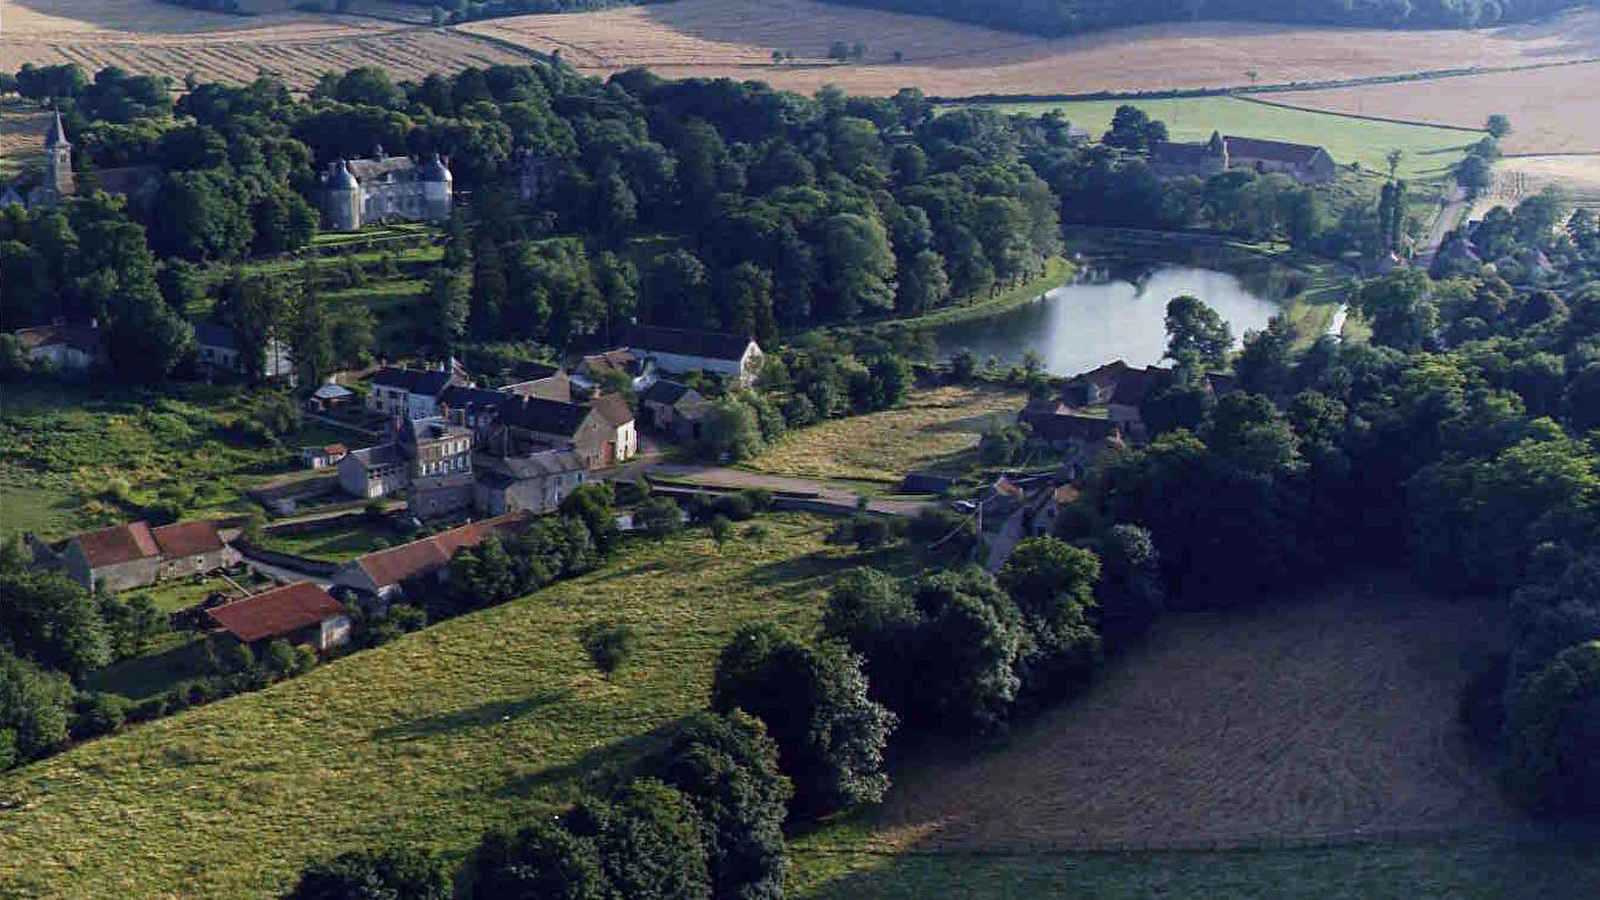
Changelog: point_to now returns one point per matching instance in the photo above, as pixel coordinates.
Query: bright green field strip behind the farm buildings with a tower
(1428, 151)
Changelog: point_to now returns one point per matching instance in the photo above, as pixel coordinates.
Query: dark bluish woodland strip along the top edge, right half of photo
(1070, 17)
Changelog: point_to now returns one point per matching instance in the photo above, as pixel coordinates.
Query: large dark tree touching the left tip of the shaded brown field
(815, 704)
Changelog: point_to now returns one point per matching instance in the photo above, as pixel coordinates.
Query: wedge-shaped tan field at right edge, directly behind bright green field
(1551, 111)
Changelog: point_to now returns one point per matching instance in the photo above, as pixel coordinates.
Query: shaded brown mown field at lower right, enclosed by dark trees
(1334, 717)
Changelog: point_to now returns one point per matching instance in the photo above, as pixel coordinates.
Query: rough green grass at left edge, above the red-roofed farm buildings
(76, 456)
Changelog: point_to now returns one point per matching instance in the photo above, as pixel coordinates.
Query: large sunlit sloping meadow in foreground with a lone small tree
(476, 723)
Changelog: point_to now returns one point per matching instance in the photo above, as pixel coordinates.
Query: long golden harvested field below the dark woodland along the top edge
(737, 39)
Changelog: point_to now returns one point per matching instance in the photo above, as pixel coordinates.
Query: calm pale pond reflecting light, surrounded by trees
(1082, 326)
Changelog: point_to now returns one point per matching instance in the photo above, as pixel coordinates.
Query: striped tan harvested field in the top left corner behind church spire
(233, 49)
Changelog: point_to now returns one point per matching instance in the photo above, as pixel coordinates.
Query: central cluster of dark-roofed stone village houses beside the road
(454, 446)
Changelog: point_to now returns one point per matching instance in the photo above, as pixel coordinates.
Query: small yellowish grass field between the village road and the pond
(935, 430)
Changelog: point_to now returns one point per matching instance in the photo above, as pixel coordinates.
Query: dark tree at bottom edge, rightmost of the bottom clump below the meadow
(727, 766)
